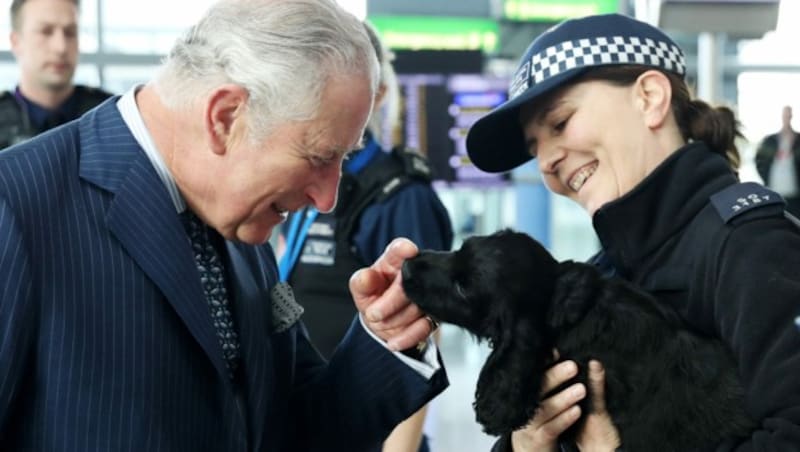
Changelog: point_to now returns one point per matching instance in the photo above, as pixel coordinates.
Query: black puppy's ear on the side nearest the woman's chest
(575, 292)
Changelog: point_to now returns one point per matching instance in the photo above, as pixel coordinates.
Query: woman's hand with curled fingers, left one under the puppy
(554, 415)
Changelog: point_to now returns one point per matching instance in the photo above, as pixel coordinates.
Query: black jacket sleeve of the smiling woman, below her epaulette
(755, 289)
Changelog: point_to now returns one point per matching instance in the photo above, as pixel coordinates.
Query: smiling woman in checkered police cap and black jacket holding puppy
(601, 102)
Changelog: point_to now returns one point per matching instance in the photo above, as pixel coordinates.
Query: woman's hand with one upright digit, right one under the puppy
(599, 433)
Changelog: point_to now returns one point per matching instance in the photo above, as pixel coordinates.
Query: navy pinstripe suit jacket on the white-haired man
(106, 343)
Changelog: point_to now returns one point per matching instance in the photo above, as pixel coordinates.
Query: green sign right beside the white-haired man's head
(437, 32)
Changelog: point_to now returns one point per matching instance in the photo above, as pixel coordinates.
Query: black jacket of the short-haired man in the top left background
(16, 124)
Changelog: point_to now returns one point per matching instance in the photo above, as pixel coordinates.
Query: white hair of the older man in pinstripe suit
(282, 52)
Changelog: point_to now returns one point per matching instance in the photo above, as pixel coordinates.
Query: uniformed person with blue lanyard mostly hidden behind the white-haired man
(384, 194)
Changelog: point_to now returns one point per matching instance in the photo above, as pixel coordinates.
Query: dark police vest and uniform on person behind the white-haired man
(390, 196)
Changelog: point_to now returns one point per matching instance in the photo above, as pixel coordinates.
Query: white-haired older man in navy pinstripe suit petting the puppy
(140, 306)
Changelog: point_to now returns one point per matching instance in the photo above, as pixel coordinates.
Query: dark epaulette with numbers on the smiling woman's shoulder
(737, 199)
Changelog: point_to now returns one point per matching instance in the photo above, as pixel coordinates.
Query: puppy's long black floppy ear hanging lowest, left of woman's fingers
(508, 388)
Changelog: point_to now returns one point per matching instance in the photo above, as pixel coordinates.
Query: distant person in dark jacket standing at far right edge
(778, 162)
